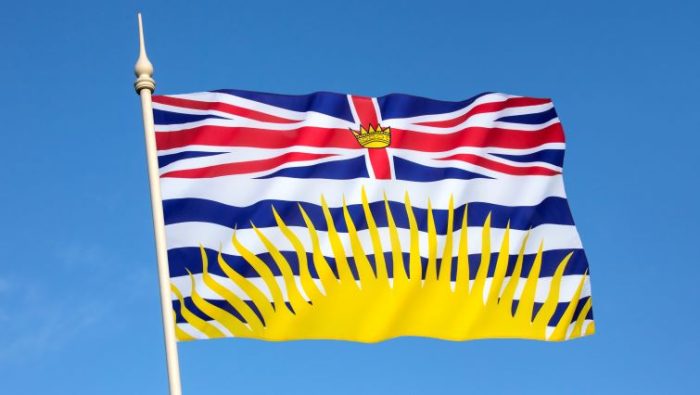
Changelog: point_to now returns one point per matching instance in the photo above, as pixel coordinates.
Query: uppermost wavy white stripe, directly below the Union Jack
(236, 191)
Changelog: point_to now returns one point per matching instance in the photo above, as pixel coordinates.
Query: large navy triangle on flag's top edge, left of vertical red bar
(333, 104)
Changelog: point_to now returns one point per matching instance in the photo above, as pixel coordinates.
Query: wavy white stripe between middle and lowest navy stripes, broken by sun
(569, 284)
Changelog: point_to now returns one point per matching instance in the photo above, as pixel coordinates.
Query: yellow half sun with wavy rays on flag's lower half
(377, 307)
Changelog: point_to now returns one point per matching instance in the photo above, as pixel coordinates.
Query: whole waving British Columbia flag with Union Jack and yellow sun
(333, 216)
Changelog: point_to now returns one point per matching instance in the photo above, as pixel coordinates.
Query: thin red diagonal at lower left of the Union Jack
(244, 167)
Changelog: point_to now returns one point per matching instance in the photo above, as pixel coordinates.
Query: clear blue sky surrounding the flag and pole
(79, 305)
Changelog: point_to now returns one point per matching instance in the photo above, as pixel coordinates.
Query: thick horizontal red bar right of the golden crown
(476, 137)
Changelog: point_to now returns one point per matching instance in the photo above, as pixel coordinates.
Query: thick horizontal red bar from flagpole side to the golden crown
(260, 138)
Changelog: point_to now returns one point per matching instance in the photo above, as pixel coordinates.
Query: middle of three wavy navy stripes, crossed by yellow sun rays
(189, 258)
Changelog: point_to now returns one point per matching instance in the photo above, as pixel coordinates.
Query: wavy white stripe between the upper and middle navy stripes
(216, 237)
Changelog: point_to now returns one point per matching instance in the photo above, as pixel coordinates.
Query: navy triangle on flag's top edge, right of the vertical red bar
(398, 105)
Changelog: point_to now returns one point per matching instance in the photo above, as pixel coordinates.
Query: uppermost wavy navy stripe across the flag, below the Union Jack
(552, 210)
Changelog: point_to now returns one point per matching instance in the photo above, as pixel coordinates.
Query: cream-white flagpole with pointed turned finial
(145, 85)
